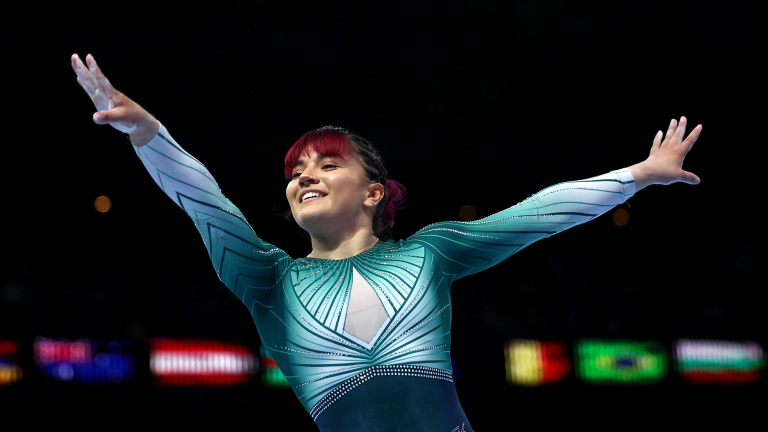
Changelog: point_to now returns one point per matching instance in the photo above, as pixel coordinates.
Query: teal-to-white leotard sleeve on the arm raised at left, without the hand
(248, 266)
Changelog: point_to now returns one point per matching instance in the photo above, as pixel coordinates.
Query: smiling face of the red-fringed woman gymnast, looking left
(328, 193)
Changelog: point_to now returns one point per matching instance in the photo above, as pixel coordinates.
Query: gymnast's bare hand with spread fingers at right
(665, 163)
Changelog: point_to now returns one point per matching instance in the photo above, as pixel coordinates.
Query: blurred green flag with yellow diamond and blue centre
(620, 362)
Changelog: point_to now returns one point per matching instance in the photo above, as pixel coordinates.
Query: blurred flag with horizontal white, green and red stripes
(718, 362)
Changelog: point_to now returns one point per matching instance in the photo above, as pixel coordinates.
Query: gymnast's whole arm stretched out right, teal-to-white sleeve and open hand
(468, 247)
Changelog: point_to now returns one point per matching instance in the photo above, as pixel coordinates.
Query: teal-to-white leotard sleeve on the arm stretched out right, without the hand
(468, 247)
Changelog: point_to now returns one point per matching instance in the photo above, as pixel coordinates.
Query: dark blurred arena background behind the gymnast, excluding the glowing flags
(481, 103)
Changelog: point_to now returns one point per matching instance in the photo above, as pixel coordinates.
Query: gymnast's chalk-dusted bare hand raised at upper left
(114, 108)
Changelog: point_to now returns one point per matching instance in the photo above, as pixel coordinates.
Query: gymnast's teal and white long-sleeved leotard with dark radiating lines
(401, 376)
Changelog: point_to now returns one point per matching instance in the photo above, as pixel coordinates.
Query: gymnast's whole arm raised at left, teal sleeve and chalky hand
(249, 266)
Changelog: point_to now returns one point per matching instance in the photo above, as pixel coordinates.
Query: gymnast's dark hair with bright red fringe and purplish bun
(338, 142)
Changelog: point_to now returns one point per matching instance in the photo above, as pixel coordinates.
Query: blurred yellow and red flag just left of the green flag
(533, 363)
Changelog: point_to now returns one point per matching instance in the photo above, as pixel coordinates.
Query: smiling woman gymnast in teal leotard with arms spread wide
(361, 328)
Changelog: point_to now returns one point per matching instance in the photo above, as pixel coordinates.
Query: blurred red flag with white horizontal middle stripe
(196, 362)
